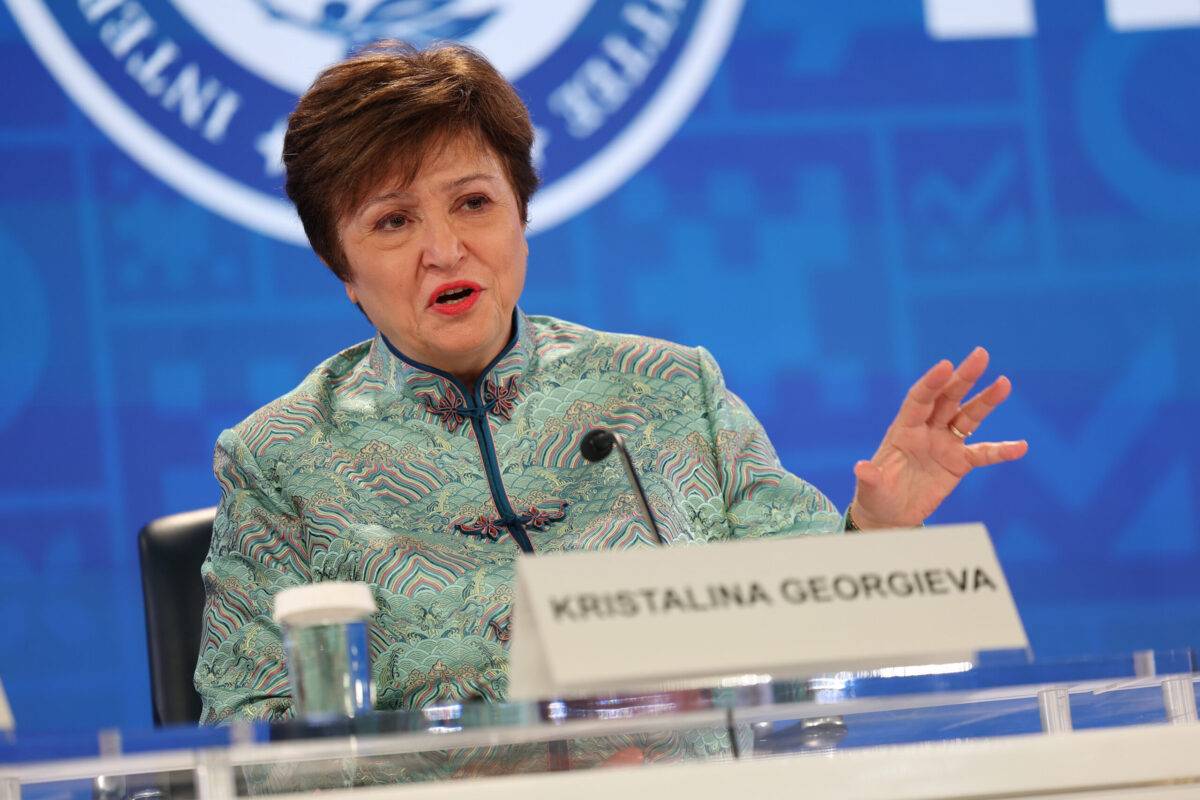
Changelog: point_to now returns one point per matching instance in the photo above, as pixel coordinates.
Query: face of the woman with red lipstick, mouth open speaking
(439, 266)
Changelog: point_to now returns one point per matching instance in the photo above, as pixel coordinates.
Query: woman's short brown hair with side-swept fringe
(379, 115)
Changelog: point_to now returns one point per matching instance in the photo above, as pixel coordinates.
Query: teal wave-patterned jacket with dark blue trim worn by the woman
(385, 471)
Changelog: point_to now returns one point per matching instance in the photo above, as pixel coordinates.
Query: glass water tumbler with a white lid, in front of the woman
(326, 639)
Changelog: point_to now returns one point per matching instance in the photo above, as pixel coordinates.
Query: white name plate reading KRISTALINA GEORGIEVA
(622, 621)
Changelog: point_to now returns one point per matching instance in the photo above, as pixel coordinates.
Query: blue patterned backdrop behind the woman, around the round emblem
(853, 197)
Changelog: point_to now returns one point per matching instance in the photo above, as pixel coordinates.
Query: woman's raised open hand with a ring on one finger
(925, 453)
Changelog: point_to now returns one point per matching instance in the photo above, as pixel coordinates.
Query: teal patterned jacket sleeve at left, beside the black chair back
(259, 549)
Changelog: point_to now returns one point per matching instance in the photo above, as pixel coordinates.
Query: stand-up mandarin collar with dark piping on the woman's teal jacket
(497, 389)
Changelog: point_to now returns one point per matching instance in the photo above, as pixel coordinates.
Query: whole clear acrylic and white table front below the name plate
(1000, 727)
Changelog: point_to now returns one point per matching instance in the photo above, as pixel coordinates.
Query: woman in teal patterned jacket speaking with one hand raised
(427, 460)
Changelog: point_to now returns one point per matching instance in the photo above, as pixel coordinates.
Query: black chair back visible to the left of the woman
(172, 551)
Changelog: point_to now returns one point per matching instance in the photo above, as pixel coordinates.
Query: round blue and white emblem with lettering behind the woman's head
(200, 92)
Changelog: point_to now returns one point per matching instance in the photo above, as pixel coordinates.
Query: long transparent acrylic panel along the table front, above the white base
(749, 717)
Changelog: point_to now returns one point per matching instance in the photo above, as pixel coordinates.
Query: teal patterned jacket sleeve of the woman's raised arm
(761, 497)
